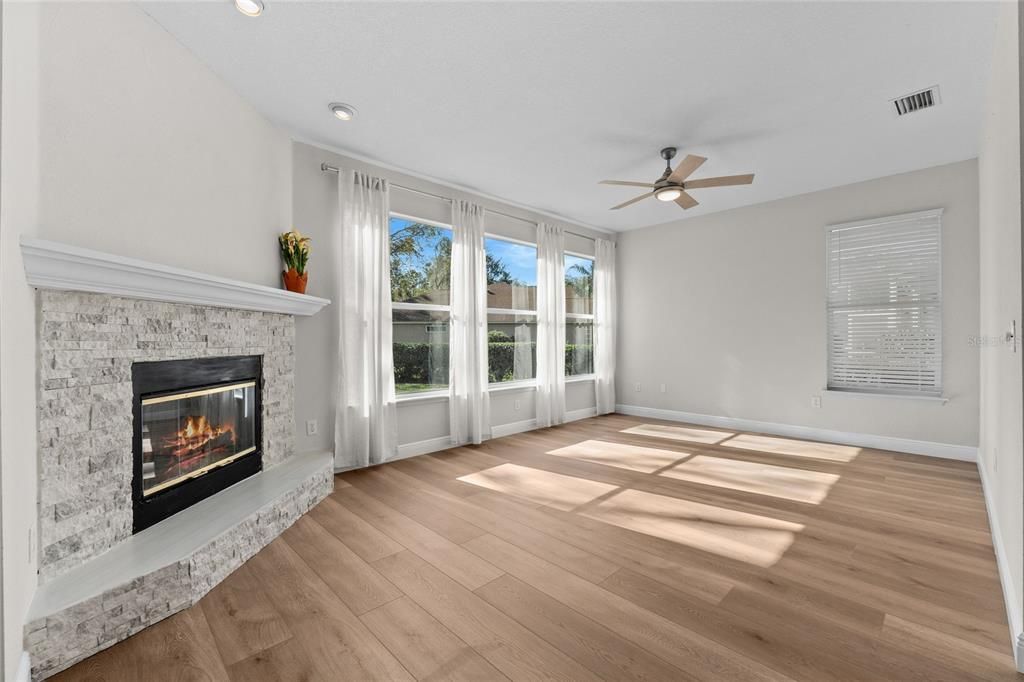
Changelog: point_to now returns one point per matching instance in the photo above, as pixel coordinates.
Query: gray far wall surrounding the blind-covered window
(729, 311)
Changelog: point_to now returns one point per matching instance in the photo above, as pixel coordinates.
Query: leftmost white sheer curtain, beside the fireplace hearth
(366, 427)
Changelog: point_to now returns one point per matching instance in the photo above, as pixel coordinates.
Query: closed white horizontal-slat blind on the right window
(885, 305)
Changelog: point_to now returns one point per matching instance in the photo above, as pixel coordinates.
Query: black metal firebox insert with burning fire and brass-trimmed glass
(197, 431)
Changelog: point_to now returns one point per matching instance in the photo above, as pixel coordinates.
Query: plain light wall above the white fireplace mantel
(155, 158)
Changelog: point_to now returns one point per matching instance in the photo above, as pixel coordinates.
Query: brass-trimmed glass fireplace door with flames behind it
(190, 434)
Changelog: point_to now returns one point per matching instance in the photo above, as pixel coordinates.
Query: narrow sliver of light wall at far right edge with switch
(1000, 176)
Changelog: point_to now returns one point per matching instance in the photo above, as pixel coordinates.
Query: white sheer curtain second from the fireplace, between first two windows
(470, 405)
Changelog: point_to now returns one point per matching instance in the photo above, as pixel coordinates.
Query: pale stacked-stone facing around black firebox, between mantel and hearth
(88, 345)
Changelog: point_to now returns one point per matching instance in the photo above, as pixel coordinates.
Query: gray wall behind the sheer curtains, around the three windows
(315, 214)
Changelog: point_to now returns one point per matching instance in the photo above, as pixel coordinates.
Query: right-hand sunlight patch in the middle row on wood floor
(798, 485)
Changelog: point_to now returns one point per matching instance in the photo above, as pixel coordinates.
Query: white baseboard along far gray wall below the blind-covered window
(942, 450)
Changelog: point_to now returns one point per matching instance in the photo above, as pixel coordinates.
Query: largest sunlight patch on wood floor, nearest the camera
(750, 538)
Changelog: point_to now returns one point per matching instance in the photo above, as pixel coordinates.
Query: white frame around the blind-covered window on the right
(936, 394)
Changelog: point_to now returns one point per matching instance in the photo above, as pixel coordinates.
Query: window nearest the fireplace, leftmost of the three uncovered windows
(421, 274)
